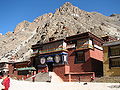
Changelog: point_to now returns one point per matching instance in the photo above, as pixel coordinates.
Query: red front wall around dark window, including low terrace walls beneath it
(63, 71)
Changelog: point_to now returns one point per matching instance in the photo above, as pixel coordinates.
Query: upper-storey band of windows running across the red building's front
(80, 44)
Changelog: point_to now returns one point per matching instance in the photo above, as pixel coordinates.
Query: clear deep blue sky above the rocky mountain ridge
(13, 12)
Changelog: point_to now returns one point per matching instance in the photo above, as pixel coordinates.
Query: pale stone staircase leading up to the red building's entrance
(46, 77)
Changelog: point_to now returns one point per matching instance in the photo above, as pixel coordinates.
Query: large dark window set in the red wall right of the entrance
(80, 57)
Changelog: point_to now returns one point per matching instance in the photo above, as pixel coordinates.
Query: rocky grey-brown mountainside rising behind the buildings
(66, 21)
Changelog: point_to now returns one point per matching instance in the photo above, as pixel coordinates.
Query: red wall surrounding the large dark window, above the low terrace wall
(81, 67)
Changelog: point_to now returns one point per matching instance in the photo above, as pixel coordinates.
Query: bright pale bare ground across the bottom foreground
(25, 85)
